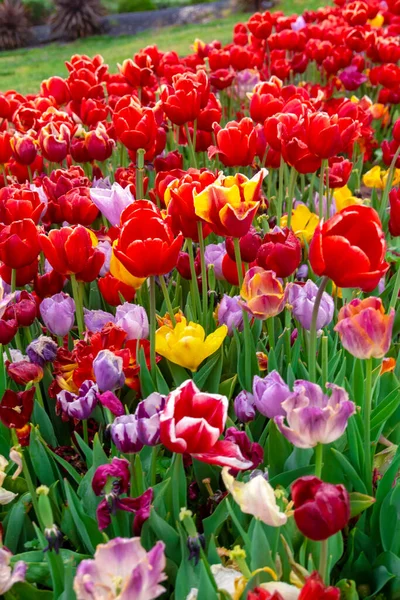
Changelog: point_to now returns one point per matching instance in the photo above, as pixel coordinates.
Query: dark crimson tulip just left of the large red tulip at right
(280, 252)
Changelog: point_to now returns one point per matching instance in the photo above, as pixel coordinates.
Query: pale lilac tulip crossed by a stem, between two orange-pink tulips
(302, 299)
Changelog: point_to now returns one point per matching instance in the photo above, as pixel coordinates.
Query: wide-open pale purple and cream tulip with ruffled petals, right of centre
(314, 417)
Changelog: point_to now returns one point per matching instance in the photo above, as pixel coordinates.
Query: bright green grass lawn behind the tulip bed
(23, 70)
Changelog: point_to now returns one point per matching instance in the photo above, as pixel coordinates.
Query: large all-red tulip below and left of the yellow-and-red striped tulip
(146, 245)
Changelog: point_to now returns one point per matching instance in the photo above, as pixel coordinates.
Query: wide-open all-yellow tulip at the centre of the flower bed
(187, 345)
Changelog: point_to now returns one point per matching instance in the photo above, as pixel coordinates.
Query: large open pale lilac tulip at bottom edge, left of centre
(122, 562)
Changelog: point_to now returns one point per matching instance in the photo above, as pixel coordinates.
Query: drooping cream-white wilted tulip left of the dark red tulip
(256, 497)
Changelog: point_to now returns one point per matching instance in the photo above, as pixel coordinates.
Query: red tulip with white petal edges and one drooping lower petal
(192, 423)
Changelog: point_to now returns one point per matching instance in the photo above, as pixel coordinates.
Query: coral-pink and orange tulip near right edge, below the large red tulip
(364, 328)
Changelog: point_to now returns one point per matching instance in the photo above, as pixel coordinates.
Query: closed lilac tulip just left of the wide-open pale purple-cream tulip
(269, 393)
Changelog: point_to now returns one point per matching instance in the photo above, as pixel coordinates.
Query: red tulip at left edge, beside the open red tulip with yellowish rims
(19, 245)
